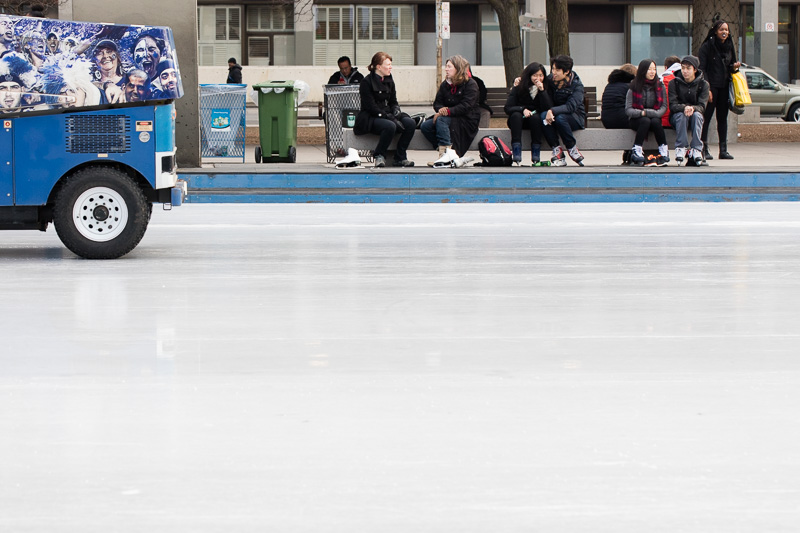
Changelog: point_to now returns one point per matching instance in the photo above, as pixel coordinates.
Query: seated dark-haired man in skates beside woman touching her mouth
(568, 113)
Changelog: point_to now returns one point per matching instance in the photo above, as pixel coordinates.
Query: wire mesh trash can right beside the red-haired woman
(342, 104)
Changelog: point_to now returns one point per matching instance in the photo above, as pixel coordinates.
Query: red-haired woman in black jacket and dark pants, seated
(380, 113)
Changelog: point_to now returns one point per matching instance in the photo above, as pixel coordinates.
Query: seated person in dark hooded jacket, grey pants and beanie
(688, 97)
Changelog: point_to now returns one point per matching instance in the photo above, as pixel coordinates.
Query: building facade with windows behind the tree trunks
(602, 32)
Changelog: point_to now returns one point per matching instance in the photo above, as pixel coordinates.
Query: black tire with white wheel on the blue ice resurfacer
(113, 193)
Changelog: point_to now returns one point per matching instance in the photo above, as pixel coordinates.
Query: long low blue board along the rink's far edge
(339, 187)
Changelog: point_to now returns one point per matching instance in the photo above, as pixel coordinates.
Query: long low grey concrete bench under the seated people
(588, 139)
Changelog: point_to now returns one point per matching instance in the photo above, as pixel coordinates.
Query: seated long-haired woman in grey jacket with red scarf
(645, 104)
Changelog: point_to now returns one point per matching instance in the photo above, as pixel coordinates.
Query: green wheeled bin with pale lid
(277, 121)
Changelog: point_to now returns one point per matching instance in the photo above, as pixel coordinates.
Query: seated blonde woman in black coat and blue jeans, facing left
(458, 116)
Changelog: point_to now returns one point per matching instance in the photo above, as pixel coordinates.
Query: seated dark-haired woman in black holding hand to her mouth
(525, 106)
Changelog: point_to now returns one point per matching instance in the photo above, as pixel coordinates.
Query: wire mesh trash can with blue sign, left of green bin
(223, 120)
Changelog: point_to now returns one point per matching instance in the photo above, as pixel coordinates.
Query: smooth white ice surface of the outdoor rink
(408, 368)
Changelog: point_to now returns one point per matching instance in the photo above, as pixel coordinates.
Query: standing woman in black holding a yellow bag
(717, 62)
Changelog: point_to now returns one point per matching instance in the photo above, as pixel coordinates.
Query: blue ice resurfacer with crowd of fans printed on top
(88, 130)
